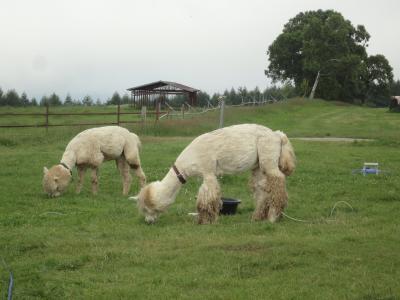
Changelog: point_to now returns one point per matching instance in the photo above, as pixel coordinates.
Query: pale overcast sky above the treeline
(97, 47)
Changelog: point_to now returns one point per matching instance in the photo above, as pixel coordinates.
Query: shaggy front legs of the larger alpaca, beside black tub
(209, 200)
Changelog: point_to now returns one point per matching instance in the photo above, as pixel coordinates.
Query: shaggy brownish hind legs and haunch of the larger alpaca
(271, 196)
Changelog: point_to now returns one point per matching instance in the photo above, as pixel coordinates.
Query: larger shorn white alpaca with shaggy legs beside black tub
(229, 150)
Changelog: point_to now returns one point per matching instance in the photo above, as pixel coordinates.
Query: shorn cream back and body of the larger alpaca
(235, 149)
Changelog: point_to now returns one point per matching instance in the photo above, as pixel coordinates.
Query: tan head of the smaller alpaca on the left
(55, 180)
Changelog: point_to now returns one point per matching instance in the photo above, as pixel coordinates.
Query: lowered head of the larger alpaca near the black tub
(150, 201)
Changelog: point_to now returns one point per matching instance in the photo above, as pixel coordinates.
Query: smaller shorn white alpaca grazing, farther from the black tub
(89, 149)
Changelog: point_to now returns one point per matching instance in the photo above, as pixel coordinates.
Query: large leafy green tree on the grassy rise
(322, 49)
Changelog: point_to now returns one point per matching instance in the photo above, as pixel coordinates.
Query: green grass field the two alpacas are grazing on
(98, 247)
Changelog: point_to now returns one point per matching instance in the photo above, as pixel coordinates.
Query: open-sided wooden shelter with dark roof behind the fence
(158, 92)
